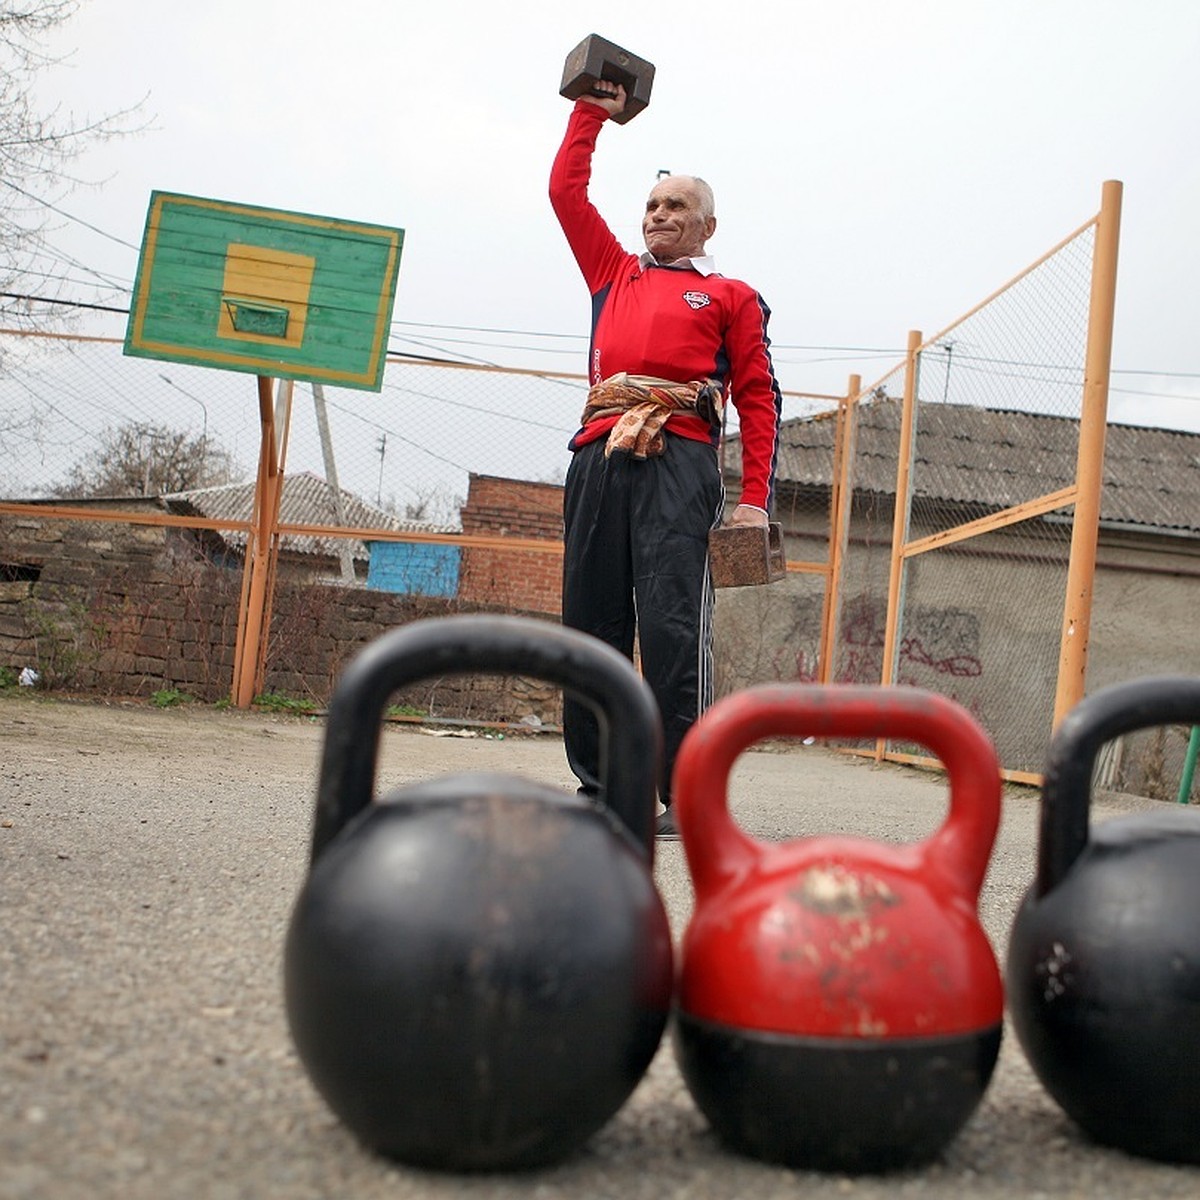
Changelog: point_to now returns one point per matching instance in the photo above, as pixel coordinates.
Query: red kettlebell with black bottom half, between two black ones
(839, 1005)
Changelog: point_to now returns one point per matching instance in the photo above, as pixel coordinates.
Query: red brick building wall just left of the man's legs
(527, 581)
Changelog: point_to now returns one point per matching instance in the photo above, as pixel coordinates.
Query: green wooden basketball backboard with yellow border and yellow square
(273, 293)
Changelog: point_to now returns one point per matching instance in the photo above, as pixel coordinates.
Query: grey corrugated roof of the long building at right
(979, 457)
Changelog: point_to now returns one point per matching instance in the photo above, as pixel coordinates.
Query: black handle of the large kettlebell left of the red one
(596, 674)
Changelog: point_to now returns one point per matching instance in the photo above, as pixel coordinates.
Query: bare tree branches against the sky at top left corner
(37, 151)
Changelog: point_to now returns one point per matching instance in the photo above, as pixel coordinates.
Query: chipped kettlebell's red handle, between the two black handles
(718, 850)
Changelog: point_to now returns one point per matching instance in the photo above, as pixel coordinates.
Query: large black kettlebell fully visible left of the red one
(479, 968)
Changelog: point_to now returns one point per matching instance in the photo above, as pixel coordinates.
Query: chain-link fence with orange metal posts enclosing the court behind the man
(124, 561)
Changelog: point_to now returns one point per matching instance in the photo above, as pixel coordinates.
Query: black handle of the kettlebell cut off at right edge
(1075, 748)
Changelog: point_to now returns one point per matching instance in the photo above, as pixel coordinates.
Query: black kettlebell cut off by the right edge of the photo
(1103, 971)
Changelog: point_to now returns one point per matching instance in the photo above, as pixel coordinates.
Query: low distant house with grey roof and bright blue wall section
(309, 501)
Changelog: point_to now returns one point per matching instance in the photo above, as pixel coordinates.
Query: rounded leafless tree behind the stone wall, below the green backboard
(147, 460)
